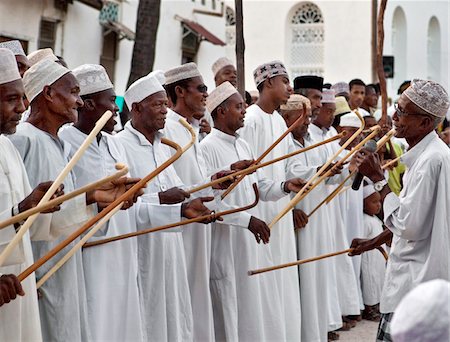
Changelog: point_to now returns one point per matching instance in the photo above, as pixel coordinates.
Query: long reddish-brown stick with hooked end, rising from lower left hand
(117, 202)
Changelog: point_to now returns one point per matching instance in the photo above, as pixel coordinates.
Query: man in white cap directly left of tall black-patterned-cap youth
(243, 308)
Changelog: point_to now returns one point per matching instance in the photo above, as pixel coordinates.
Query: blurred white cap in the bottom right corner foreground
(423, 314)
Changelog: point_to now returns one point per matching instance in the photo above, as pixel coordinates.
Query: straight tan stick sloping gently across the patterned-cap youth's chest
(253, 168)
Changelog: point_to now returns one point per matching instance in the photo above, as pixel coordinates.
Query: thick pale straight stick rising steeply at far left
(55, 185)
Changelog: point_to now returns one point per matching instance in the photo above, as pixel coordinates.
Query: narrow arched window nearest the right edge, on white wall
(434, 50)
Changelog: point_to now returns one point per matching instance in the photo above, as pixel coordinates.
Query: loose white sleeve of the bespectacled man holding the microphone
(408, 217)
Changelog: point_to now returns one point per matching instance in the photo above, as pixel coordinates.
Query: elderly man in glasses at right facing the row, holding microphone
(417, 220)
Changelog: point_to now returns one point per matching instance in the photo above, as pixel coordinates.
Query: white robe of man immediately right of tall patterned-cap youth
(314, 239)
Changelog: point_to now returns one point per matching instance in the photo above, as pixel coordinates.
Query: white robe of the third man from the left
(118, 319)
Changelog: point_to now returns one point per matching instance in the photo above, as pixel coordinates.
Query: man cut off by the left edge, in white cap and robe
(19, 320)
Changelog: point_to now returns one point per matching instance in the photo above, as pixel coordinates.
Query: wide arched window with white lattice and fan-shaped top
(306, 40)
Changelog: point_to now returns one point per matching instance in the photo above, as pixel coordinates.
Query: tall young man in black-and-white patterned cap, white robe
(272, 81)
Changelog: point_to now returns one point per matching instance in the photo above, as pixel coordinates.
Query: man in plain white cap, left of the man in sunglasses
(163, 277)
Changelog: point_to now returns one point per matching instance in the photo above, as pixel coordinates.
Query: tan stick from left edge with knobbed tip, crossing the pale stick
(123, 170)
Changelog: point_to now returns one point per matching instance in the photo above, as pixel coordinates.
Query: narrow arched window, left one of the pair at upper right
(399, 48)
